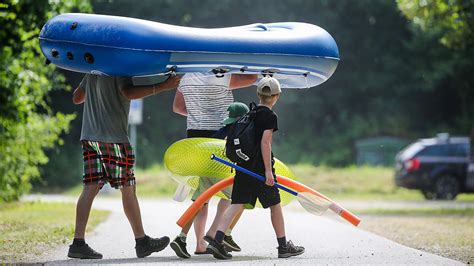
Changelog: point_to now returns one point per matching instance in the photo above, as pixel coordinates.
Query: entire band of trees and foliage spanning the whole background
(404, 72)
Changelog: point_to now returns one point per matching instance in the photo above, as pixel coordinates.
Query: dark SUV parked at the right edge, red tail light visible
(436, 166)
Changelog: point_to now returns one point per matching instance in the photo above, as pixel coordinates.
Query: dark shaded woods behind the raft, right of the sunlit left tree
(394, 78)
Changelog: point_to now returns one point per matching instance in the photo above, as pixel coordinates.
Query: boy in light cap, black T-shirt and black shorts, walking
(247, 189)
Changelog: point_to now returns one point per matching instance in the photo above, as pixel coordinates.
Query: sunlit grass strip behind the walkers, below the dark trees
(356, 183)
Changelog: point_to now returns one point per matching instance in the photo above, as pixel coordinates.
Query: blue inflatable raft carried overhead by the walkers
(300, 55)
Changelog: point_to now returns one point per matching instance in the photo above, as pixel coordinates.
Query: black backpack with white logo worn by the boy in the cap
(241, 146)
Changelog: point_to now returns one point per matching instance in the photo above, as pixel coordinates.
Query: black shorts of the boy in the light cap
(247, 189)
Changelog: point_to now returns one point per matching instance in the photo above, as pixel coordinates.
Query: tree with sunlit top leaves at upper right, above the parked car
(443, 36)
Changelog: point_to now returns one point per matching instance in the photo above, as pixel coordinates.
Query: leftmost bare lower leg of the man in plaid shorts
(83, 208)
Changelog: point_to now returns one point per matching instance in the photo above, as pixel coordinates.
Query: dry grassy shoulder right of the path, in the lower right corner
(450, 236)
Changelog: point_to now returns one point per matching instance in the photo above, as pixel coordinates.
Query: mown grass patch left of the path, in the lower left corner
(28, 229)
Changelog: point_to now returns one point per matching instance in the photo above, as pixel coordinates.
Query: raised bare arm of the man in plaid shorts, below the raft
(137, 92)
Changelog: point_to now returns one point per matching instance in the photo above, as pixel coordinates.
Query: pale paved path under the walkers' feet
(327, 240)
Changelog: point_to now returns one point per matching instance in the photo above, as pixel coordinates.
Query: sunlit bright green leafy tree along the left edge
(27, 123)
